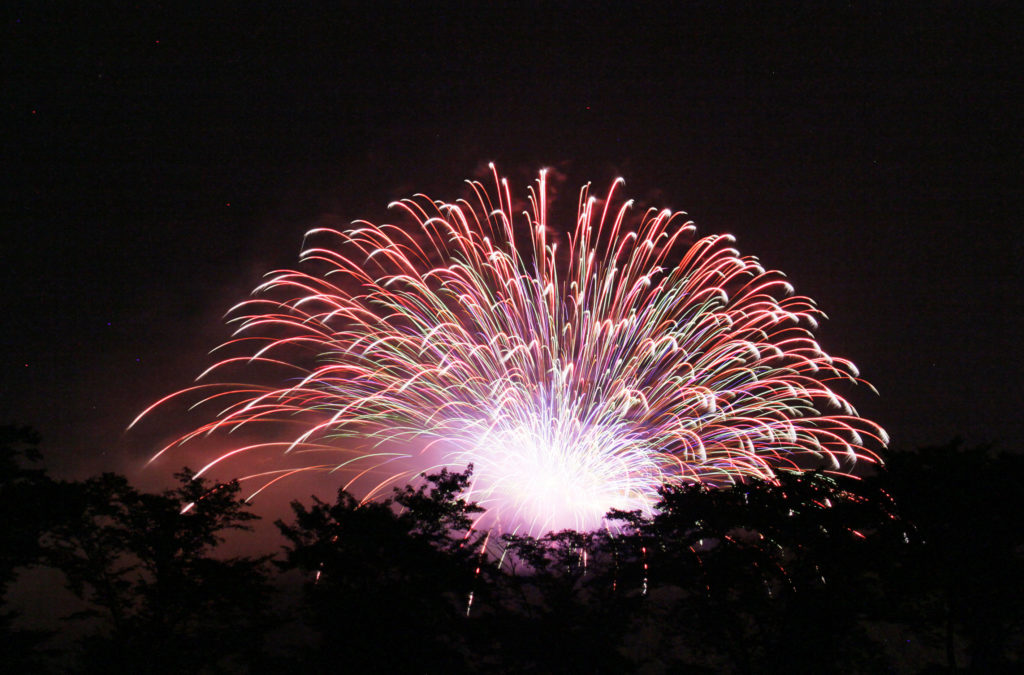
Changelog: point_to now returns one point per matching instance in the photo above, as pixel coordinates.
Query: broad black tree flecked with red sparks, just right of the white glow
(761, 577)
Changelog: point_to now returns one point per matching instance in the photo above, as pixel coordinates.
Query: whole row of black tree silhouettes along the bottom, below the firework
(916, 570)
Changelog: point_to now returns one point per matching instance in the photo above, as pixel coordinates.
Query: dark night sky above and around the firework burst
(159, 161)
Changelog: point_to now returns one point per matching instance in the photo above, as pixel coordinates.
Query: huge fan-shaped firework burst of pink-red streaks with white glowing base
(576, 376)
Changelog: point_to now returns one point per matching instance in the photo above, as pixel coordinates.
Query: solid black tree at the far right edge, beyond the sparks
(959, 583)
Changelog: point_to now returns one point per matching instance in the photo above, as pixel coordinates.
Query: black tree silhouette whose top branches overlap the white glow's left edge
(390, 581)
